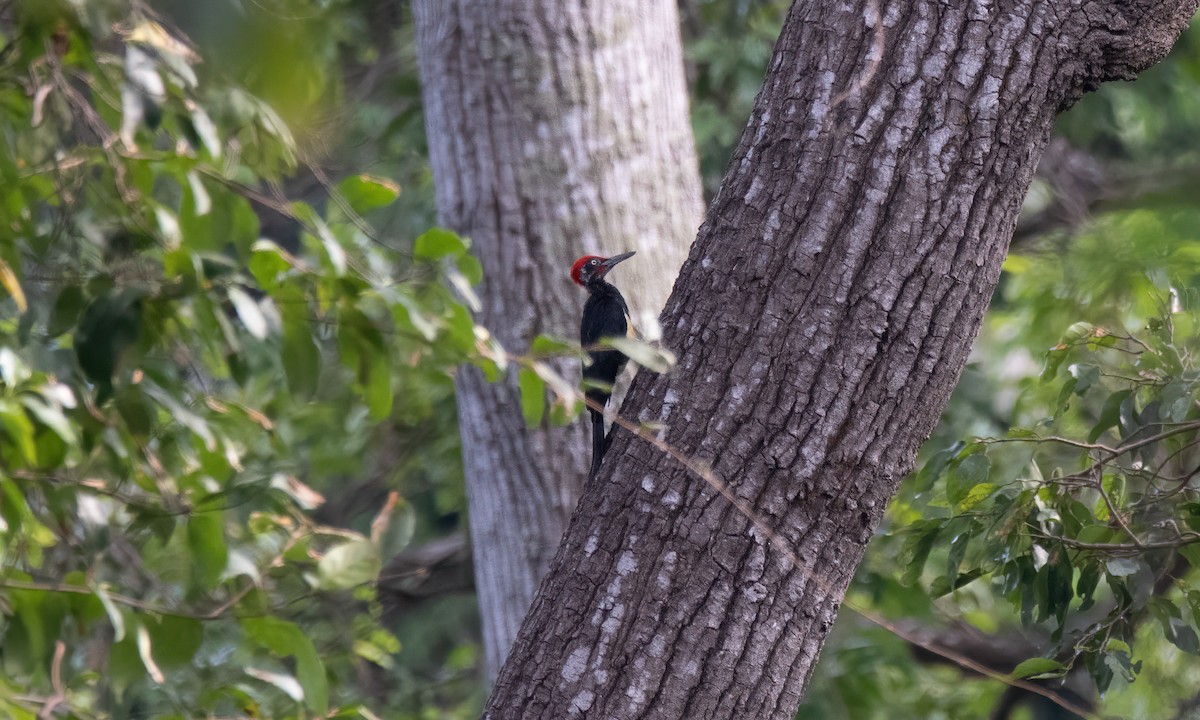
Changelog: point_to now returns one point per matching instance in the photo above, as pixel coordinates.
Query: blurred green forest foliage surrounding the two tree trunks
(230, 473)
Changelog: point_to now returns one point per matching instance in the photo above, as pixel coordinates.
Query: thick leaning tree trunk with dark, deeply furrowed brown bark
(821, 321)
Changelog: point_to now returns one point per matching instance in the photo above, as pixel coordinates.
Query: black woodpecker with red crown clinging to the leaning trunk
(605, 315)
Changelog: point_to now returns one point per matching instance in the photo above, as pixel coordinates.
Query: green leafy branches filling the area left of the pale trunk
(177, 377)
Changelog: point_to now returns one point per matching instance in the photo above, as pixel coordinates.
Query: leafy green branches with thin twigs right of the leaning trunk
(1088, 517)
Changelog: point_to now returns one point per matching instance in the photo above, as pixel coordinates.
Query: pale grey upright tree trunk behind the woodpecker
(556, 129)
